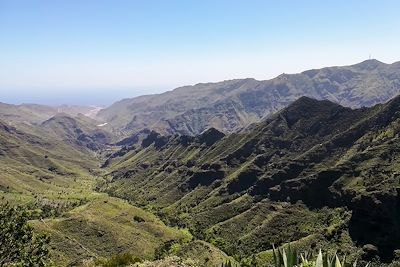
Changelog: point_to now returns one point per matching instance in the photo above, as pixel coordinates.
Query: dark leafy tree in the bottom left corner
(19, 245)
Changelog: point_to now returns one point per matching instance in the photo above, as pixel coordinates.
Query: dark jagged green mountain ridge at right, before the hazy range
(316, 174)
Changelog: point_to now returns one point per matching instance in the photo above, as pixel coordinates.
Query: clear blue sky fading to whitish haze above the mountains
(95, 52)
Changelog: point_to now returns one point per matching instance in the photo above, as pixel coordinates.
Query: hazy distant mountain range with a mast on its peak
(231, 105)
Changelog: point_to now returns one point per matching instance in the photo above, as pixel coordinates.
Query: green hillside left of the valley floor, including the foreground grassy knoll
(54, 172)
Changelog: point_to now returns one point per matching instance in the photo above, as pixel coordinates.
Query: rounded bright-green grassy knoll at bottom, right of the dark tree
(105, 227)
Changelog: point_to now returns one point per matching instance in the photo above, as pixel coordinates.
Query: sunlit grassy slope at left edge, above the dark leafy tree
(38, 167)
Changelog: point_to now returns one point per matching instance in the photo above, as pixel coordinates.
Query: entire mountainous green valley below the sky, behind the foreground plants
(312, 172)
